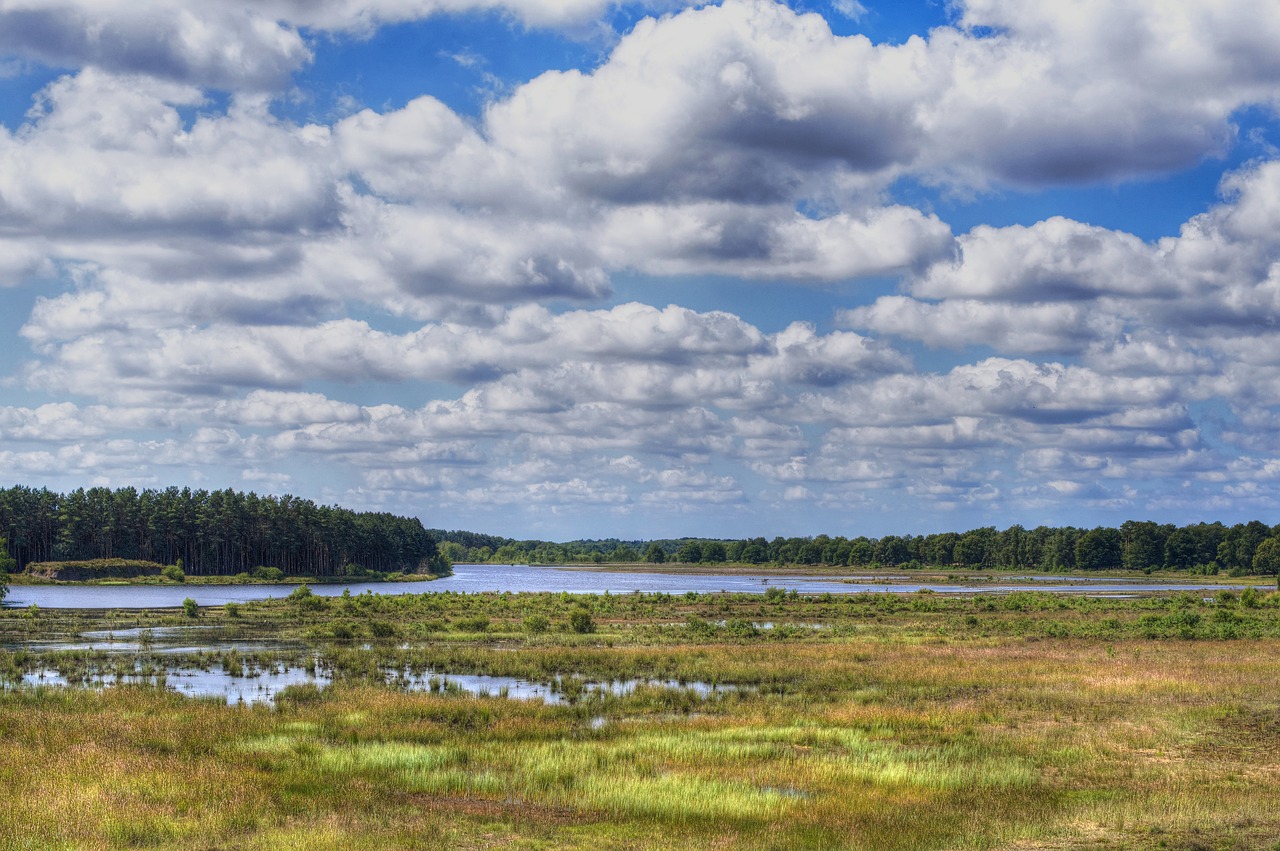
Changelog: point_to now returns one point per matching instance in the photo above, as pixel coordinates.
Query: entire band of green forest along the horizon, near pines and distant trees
(225, 533)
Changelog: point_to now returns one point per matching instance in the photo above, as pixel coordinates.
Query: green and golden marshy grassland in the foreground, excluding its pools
(868, 722)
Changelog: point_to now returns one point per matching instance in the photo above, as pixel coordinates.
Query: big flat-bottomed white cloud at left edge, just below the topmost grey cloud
(111, 157)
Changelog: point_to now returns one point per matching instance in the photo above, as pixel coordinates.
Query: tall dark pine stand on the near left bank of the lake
(218, 533)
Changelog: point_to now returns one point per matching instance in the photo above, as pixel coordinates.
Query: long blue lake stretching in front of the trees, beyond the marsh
(537, 578)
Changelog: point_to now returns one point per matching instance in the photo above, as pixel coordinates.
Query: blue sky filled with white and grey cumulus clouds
(584, 269)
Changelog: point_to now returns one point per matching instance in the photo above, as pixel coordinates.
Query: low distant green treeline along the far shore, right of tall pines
(1136, 546)
